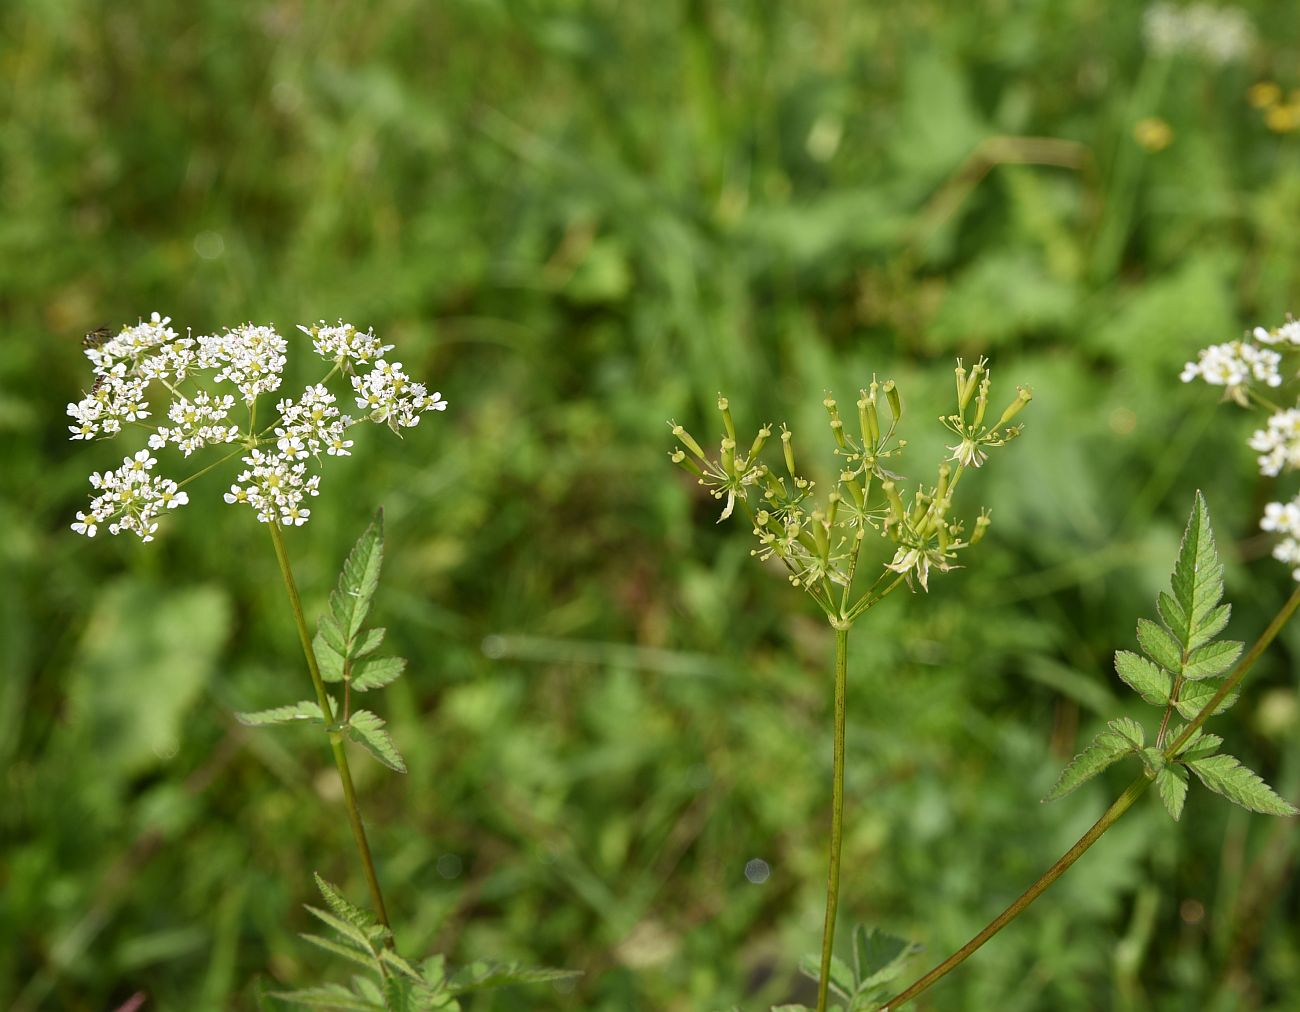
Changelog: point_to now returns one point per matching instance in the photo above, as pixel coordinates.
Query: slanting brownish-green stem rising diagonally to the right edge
(1112, 815)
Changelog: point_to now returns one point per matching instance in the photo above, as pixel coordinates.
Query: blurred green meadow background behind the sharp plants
(578, 220)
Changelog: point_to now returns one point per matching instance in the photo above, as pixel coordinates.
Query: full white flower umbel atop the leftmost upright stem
(276, 452)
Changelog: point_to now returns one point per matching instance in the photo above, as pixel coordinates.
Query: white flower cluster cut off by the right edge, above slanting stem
(1240, 366)
